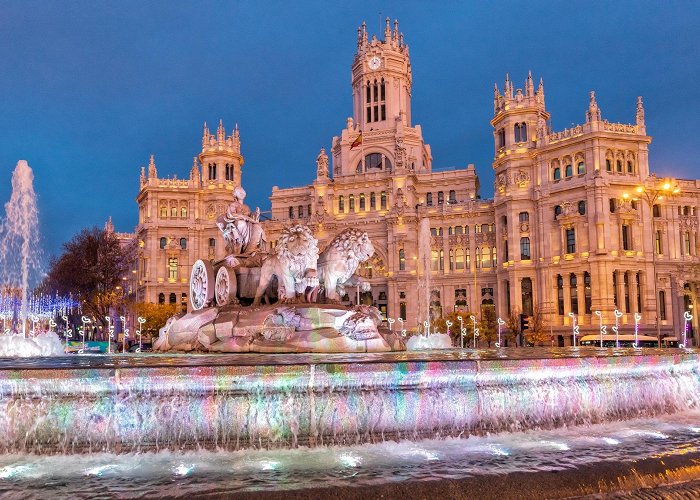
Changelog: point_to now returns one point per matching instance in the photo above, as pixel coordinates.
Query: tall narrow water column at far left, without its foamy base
(19, 237)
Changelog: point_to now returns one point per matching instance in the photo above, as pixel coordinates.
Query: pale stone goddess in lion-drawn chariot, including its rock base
(308, 284)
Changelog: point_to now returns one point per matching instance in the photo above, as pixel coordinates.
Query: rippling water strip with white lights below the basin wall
(253, 470)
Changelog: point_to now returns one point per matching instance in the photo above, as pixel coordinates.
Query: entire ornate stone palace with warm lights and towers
(577, 224)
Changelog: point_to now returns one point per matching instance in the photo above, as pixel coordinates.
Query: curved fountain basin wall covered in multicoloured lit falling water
(130, 403)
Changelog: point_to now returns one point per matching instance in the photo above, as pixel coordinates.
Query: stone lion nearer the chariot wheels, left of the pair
(293, 263)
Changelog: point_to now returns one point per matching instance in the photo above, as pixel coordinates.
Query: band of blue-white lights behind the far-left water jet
(41, 311)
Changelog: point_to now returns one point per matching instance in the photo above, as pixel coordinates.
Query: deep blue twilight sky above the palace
(89, 89)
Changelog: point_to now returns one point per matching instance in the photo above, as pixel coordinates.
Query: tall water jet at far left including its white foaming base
(19, 260)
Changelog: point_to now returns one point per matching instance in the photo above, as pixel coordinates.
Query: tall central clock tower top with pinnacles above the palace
(381, 80)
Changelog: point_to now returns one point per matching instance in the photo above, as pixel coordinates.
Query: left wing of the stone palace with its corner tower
(177, 218)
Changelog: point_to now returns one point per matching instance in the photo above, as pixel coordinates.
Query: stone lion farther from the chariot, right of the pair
(339, 261)
